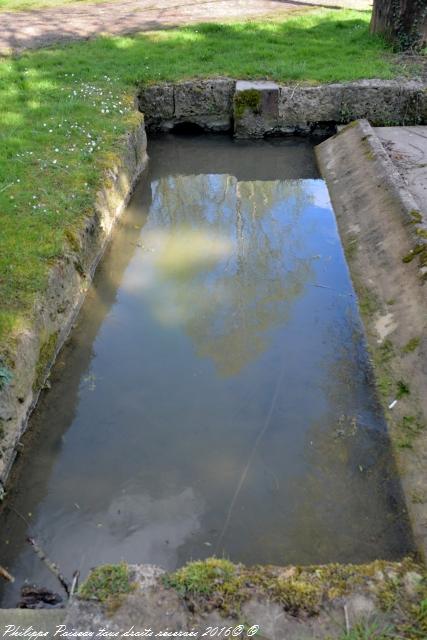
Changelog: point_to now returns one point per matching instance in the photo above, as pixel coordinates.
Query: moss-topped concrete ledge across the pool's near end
(270, 602)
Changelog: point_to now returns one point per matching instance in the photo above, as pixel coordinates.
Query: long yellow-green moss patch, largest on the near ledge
(217, 583)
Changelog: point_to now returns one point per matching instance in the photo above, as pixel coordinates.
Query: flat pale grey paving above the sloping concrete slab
(407, 147)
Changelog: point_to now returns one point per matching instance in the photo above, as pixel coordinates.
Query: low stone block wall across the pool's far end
(256, 109)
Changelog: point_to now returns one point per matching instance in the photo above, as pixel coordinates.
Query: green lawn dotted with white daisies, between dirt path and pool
(63, 110)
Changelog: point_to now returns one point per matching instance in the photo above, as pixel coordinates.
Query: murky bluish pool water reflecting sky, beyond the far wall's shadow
(207, 327)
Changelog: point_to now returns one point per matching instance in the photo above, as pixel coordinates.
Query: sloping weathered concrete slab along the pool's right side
(365, 186)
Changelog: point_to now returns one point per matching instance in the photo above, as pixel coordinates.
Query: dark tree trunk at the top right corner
(401, 22)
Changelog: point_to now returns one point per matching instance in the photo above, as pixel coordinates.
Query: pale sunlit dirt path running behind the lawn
(42, 27)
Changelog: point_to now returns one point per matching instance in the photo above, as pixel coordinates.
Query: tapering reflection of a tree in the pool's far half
(236, 271)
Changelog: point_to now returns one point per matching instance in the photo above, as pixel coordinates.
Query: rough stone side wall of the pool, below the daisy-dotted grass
(56, 309)
